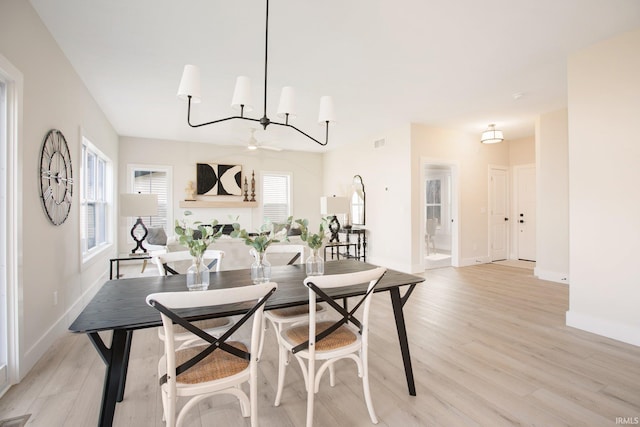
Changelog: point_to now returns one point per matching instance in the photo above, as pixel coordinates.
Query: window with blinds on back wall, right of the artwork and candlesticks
(276, 196)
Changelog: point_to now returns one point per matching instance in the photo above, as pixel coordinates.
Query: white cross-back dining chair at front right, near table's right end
(330, 341)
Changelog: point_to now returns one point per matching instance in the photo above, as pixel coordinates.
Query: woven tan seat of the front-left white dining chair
(218, 364)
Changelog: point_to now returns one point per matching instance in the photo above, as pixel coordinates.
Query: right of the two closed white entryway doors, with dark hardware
(526, 213)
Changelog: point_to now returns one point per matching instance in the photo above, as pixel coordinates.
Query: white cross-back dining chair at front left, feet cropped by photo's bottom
(219, 366)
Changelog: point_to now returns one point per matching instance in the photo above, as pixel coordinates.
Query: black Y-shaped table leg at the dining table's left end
(114, 358)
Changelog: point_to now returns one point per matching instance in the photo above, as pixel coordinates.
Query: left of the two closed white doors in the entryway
(498, 213)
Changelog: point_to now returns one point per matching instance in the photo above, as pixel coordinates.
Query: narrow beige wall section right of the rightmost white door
(552, 210)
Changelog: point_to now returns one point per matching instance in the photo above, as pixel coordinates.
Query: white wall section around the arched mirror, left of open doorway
(386, 174)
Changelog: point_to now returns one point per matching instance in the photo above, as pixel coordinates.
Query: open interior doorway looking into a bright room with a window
(439, 214)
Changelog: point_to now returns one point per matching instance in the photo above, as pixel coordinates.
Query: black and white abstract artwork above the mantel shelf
(219, 180)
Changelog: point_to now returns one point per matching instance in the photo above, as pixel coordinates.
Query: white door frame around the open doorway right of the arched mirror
(454, 167)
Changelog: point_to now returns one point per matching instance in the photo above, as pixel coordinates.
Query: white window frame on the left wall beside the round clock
(89, 254)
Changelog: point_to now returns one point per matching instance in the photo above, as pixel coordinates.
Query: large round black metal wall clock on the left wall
(56, 177)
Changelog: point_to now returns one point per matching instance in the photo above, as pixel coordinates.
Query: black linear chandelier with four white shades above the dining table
(189, 89)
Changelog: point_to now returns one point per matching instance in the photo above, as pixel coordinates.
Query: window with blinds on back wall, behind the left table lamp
(147, 179)
